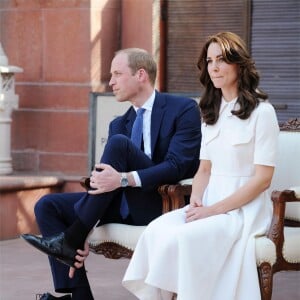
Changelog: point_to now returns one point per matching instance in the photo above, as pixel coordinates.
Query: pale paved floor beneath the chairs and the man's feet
(24, 273)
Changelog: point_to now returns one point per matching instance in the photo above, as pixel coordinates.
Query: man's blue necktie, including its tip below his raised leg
(136, 137)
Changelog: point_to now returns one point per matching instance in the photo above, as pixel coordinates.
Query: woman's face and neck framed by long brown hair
(223, 75)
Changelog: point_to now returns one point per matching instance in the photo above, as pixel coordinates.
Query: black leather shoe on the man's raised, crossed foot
(55, 246)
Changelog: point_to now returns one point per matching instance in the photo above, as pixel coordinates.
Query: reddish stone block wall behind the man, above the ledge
(65, 48)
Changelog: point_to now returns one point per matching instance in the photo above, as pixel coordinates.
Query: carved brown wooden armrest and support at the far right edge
(276, 231)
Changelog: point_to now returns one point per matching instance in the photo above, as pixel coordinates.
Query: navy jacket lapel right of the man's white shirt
(158, 111)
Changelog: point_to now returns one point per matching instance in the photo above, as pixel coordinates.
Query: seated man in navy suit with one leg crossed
(128, 174)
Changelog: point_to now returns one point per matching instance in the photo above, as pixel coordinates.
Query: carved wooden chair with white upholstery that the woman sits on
(279, 249)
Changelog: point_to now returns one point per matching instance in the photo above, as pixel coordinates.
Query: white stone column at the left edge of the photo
(8, 102)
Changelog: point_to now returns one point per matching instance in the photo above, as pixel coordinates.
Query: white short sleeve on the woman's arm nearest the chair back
(266, 135)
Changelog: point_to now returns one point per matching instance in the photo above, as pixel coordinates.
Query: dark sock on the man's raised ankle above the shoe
(76, 234)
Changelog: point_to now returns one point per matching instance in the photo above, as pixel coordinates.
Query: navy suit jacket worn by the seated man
(175, 148)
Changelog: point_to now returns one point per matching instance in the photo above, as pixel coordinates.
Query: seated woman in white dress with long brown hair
(206, 250)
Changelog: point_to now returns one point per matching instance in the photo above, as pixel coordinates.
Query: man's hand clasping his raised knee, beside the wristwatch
(106, 180)
